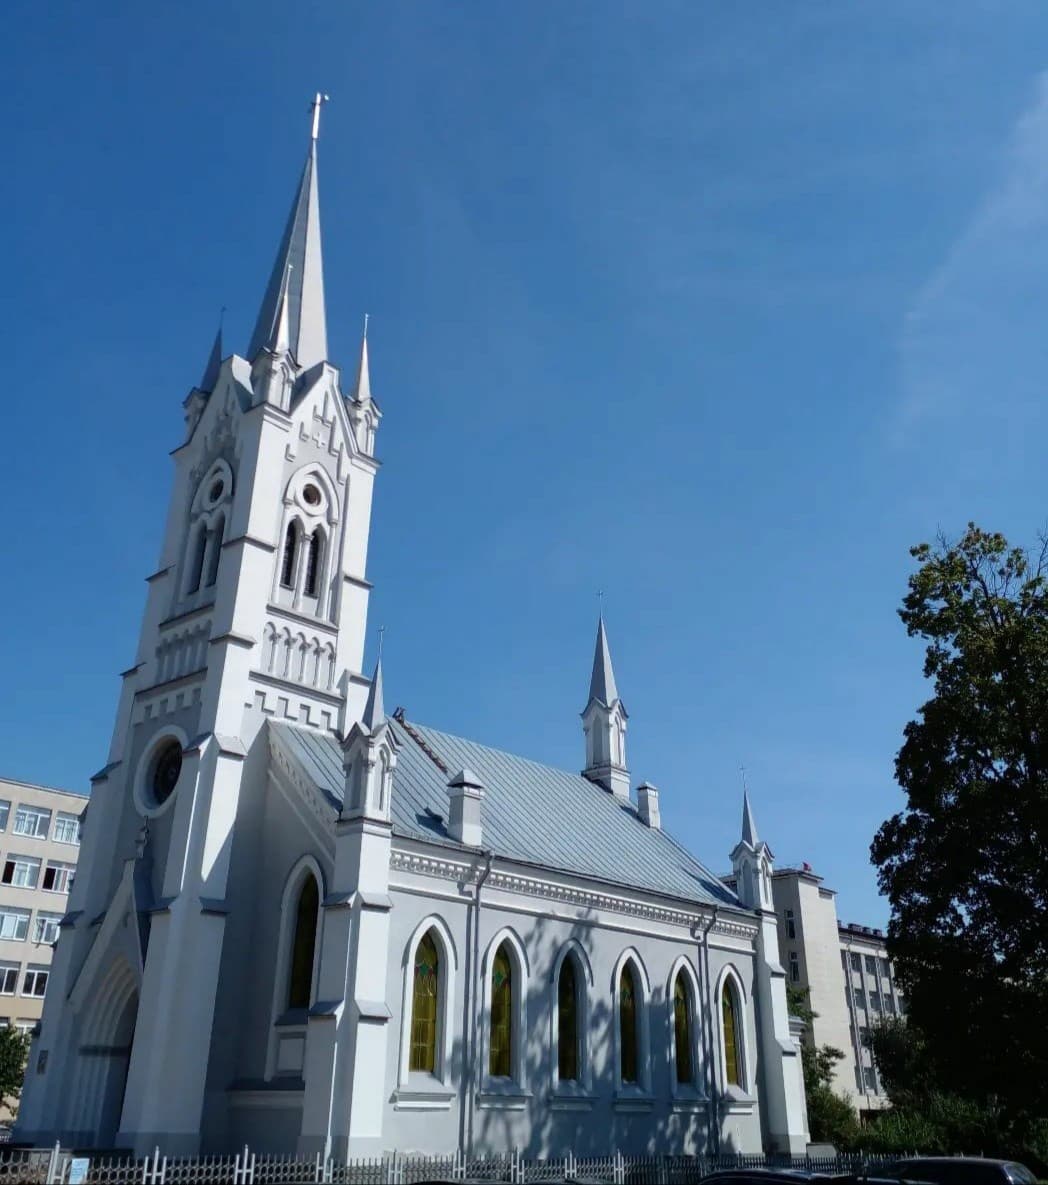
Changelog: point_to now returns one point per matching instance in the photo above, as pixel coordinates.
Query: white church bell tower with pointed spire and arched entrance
(257, 612)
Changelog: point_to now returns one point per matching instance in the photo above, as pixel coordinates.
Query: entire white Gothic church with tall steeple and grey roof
(306, 926)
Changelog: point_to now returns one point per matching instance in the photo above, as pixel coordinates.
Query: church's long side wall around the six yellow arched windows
(604, 1117)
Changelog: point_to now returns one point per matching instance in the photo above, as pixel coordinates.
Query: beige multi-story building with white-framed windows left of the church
(40, 843)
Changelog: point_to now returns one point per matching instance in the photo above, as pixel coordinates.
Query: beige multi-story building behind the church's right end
(847, 973)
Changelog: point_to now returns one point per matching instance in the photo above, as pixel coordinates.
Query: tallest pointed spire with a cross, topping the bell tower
(299, 251)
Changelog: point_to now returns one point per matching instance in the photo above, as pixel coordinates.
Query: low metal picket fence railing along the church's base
(60, 1167)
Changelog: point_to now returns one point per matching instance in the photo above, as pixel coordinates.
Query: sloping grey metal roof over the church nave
(532, 814)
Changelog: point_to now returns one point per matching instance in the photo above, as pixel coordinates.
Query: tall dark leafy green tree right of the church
(966, 864)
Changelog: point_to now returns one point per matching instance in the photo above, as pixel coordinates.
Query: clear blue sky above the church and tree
(715, 308)
